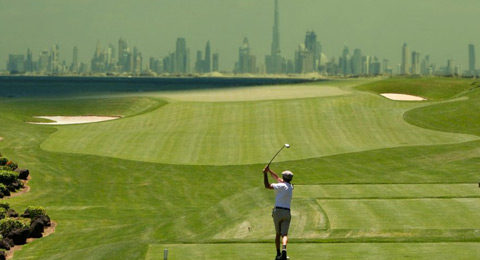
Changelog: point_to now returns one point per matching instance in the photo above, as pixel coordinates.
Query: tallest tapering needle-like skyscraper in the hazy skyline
(274, 61)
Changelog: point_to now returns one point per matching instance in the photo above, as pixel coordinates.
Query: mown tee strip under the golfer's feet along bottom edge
(340, 251)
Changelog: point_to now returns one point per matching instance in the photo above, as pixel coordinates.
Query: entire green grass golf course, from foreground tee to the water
(182, 171)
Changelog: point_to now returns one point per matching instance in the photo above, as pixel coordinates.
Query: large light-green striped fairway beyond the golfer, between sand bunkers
(205, 133)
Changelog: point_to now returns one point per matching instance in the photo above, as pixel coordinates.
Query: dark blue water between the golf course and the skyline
(37, 86)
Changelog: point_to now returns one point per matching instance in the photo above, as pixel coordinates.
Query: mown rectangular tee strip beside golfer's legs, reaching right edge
(403, 214)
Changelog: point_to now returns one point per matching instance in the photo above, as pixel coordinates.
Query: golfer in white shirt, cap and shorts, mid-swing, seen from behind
(281, 213)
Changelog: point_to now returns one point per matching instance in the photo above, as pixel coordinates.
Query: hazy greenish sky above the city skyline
(441, 28)
